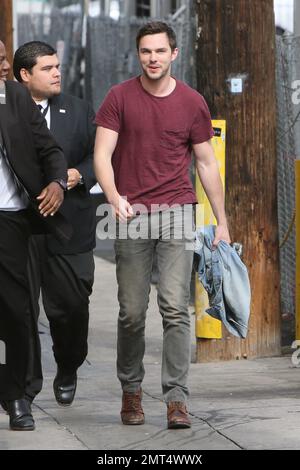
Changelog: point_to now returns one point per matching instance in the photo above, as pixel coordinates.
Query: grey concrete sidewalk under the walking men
(234, 405)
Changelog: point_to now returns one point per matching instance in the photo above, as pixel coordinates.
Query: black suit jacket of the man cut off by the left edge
(34, 156)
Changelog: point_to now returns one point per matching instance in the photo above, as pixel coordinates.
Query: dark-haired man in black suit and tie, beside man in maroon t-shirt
(64, 274)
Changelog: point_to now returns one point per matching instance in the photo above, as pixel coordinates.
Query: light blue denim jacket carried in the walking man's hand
(225, 278)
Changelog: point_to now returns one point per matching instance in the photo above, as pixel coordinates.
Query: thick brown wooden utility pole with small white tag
(236, 75)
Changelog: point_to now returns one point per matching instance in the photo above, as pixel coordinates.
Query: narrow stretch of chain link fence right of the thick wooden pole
(288, 149)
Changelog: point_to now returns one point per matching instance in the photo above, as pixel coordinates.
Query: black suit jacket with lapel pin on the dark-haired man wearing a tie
(71, 124)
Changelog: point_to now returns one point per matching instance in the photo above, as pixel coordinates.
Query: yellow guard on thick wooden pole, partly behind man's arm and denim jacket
(206, 326)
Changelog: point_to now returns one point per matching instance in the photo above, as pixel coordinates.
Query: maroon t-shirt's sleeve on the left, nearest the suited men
(108, 115)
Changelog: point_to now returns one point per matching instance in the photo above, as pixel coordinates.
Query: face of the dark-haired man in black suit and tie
(44, 79)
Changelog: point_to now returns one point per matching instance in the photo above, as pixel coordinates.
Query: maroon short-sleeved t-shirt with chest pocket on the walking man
(153, 153)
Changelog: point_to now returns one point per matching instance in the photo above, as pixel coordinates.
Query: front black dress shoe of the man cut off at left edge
(20, 417)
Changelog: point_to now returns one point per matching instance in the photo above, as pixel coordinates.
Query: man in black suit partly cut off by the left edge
(33, 173)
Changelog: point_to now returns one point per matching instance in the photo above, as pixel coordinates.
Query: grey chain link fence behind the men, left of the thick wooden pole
(98, 52)
